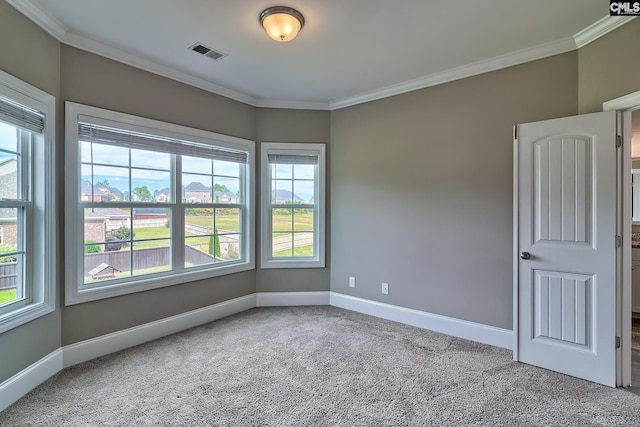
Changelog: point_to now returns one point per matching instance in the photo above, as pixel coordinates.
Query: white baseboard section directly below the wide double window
(110, 343)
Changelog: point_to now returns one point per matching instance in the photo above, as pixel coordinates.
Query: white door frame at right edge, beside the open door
(624, 105)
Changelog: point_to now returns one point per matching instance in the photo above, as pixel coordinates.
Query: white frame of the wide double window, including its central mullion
(76, 290)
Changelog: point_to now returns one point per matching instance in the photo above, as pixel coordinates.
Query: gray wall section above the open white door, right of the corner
(609, 67)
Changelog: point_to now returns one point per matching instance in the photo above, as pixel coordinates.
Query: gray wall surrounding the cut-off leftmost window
(30, 54)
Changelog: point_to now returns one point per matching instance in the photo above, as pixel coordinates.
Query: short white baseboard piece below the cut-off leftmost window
(29, 378)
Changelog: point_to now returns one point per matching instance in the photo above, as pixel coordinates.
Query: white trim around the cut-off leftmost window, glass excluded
(42, 246)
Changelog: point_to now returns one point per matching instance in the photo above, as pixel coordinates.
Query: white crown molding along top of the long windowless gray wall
(480, 67)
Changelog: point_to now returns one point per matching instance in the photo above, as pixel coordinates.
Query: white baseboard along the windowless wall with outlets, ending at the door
(447, 325)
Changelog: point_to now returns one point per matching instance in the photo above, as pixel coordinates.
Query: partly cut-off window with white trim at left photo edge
(27, 192)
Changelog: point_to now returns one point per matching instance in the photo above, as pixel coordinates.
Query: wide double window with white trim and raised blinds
(152, 204)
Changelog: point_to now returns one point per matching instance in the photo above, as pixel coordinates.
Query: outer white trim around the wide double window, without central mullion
(73, 217)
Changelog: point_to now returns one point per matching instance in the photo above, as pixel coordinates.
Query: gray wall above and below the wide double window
(93, 80)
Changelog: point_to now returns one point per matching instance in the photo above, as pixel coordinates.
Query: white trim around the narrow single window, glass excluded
(266, 260)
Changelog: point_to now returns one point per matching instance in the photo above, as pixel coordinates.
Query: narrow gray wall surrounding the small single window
(280, 125)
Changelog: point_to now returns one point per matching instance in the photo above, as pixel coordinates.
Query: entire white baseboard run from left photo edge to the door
(26, 380)
